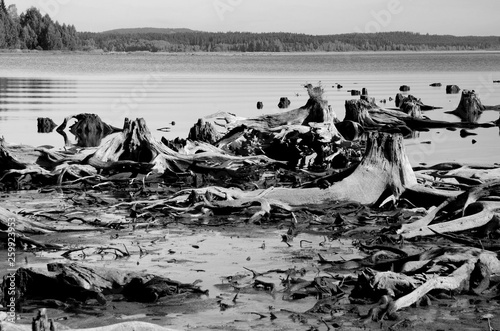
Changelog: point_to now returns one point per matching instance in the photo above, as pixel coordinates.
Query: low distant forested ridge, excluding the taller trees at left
(282, 42)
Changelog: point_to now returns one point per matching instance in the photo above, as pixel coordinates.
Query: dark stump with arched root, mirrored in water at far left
(89, 129)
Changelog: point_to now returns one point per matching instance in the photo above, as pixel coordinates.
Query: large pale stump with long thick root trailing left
(385, 169)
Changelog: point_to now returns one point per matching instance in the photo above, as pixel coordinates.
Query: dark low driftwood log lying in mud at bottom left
(82, 283)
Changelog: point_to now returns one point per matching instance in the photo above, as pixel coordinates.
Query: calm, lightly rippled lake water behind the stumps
(163, 88)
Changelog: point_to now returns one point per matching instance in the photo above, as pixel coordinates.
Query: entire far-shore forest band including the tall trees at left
(32, 30)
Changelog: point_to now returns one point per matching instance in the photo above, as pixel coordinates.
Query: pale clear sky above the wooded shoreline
(319, 17)
